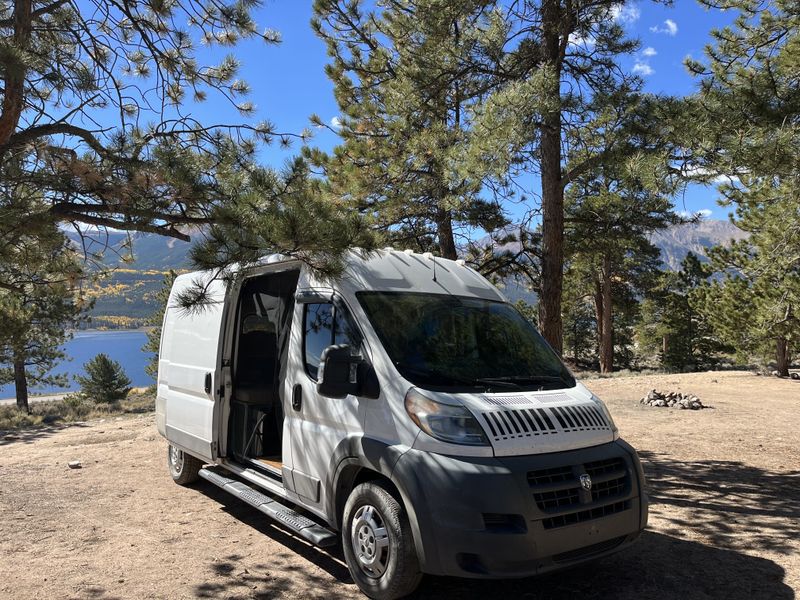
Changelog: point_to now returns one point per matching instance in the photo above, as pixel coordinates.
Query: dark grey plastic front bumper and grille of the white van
(523, 515)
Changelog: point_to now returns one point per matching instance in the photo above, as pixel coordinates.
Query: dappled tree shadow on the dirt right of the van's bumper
(729, 503)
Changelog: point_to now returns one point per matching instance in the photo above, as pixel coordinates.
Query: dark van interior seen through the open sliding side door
(261, 343)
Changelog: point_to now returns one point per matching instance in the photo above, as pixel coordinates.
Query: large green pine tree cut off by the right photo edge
(746, 131)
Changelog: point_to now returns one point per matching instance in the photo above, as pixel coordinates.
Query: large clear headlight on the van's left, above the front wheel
(452, 423)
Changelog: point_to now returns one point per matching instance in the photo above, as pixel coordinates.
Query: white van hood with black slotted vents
(521, 423)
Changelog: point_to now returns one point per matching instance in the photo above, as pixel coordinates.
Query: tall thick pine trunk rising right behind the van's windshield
(552, 190)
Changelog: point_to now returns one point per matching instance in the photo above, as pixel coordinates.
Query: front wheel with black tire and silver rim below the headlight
(391, 571)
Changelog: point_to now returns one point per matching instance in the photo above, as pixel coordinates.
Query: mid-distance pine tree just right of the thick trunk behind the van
(611, 209)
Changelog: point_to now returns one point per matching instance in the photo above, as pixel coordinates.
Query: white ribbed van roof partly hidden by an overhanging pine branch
(387, 270)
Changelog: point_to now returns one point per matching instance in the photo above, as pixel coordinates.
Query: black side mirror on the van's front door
(341, 373)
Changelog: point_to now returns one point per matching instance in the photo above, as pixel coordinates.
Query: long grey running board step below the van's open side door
(291, 519)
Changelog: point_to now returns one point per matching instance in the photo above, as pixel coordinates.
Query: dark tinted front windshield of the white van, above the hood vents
(455, 343)
